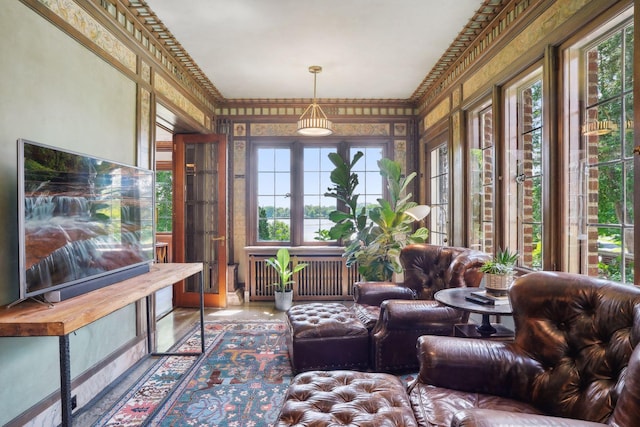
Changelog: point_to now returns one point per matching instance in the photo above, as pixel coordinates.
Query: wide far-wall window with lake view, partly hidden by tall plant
(290, 182)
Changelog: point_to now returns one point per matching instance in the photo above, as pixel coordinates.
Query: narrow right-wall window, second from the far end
(481, 179)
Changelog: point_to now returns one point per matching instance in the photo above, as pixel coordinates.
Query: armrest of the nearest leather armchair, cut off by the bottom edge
(492, 417)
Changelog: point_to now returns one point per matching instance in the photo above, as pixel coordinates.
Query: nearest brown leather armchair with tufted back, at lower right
(574, 362)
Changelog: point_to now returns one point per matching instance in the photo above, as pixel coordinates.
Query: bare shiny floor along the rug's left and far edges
(170, 329)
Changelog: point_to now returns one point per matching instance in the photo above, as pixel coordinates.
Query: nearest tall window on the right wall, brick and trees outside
(602, 170)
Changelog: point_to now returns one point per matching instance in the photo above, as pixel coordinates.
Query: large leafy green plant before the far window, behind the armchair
(373, 235)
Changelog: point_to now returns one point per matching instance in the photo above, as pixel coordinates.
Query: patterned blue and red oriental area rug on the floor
(240, 382)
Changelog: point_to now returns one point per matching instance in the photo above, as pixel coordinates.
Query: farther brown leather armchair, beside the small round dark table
(397, 314)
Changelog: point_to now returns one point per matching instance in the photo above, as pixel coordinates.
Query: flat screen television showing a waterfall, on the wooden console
(84, 222)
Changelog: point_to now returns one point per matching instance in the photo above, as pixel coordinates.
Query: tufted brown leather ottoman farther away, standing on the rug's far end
(326, 336)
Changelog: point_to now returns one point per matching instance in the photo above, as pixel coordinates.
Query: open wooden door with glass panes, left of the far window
(199, 231)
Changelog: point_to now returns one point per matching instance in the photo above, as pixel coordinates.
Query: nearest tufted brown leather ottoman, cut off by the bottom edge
(340, 398)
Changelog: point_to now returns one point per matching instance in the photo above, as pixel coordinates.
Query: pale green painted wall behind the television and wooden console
(54, 91)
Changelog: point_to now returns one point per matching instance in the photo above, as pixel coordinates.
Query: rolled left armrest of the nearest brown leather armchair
(476, 365)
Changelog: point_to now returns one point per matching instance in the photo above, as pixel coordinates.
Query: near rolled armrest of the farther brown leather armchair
(417, 314)
